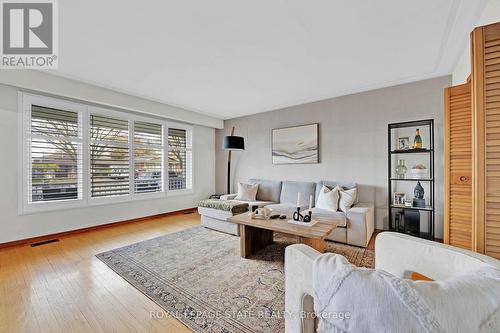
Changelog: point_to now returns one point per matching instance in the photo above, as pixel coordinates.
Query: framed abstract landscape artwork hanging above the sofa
(295, 145)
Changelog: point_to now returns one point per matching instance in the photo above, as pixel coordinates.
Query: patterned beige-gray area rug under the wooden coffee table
(198, 276)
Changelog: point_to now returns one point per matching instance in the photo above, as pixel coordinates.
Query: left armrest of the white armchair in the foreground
(299, 260)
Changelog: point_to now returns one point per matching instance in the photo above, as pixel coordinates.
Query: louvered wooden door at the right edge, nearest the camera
(486, 115)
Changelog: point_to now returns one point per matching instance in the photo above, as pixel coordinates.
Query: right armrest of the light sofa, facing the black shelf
(360, 224)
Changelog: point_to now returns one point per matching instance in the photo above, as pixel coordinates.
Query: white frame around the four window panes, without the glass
(25, 206)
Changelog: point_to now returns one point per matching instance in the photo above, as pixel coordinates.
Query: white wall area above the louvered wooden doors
(491, 14)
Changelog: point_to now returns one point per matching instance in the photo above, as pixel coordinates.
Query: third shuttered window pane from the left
(148, 157)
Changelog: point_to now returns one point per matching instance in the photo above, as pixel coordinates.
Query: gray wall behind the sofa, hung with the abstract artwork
(353, 141)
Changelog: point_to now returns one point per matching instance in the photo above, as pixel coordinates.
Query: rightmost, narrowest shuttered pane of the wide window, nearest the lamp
(179, 159)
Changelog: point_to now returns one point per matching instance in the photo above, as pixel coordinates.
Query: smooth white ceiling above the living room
(229, 58)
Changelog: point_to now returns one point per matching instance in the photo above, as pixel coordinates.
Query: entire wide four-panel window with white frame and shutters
(76, 155)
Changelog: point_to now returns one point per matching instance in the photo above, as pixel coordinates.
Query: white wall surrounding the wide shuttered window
(14, 226)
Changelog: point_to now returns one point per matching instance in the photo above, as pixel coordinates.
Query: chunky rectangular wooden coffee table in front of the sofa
(256, 234)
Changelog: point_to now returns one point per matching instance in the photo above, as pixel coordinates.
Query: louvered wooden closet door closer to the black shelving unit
(458, 166)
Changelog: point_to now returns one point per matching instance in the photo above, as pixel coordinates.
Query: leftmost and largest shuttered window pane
(55, 161)
